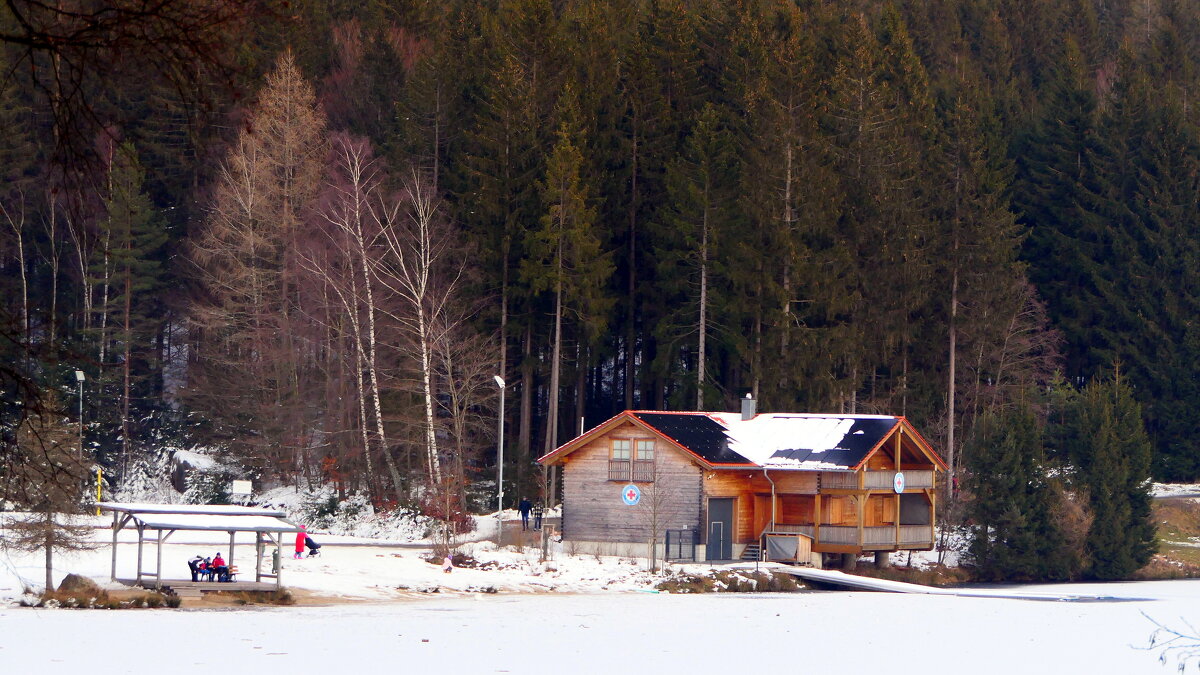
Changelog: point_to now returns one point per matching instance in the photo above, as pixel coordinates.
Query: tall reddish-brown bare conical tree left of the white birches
(257, 343)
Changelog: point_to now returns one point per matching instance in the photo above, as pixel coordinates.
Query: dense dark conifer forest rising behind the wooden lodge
(308, 235)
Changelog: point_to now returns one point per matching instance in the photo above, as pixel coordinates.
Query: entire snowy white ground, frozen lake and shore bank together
(571, 614)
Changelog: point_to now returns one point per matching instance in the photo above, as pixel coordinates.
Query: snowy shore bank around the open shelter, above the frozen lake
(353, 569)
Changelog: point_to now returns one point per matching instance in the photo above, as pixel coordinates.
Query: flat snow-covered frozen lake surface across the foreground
(620, 632)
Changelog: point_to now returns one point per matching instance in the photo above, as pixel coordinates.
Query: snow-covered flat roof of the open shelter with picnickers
(203, 517)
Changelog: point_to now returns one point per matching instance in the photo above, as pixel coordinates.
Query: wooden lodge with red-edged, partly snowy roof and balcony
(722, 487)
